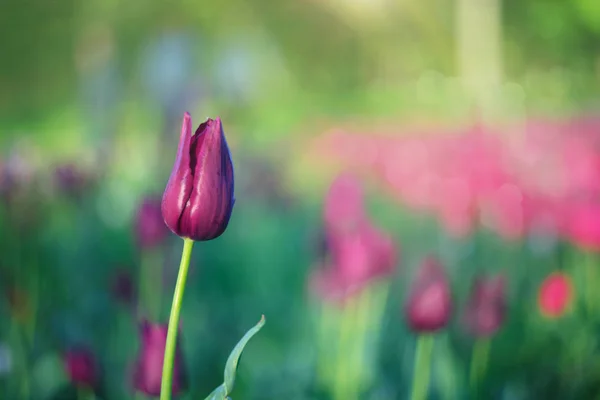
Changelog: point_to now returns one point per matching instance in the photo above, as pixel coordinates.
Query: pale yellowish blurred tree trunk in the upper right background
(479, 47)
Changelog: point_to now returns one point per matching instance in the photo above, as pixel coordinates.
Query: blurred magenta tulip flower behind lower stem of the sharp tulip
(149, 366)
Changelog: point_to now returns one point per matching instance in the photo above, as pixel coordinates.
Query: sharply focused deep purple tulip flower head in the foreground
(198, 199)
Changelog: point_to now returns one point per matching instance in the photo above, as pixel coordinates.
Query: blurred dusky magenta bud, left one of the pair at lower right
(429, 306)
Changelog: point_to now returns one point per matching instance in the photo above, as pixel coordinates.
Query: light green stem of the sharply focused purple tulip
(167, 376)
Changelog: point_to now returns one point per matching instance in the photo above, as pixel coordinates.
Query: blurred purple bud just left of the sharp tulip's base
(150, 228)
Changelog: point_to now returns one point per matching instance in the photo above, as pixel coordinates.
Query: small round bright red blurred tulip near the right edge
(555, 295)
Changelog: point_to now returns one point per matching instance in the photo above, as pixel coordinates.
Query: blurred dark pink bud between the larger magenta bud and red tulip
(486, 307)
